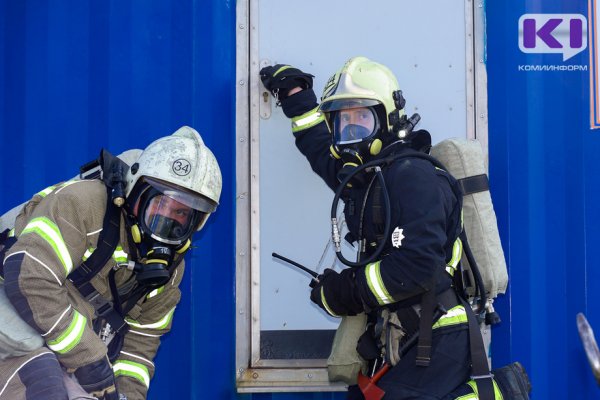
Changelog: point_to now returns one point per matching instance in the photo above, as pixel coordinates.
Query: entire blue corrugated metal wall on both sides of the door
(76, 76)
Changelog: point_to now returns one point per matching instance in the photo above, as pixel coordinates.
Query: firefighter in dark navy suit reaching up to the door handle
(408, 249)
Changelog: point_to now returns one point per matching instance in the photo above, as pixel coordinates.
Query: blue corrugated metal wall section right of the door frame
(544, 174)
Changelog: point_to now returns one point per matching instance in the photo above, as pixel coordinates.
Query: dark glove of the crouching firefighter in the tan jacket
(98, 379)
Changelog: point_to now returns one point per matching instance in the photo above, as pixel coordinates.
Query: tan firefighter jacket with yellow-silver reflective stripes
(55, 231)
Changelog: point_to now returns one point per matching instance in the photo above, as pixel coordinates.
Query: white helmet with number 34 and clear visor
(182, 168)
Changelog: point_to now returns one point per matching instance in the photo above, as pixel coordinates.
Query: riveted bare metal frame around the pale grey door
(252, 373)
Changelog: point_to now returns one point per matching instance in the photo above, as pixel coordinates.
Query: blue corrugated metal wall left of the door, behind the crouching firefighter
(76, 76)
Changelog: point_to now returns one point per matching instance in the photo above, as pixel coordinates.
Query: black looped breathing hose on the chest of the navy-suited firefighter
(335, 232)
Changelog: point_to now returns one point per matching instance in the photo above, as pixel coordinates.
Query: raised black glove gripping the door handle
(279, 79)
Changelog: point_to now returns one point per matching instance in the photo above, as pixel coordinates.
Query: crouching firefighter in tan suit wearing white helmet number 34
(105, 328)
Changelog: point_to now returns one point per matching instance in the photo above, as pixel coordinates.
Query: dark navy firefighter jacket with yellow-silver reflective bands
(425, 220)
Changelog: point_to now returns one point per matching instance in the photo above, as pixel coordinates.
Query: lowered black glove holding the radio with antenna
(336, 293)
